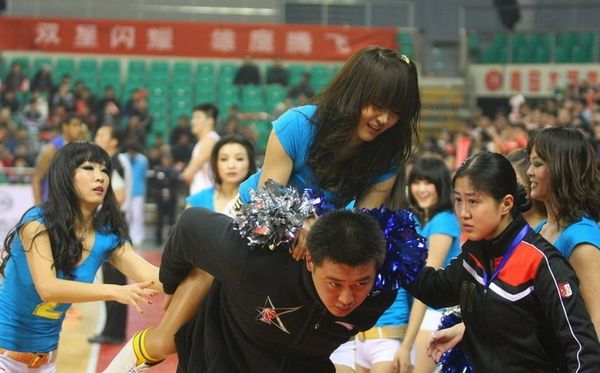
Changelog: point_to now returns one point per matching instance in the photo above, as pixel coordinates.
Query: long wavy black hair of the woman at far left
(62, 210)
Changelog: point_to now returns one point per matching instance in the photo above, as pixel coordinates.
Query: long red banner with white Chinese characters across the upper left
(187, 39)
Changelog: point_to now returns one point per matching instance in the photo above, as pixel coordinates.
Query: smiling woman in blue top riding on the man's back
(347, 144)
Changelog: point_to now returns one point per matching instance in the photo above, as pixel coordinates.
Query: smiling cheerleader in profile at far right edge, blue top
(564, 175)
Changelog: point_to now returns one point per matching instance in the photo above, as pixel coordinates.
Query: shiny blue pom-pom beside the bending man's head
(406, 250)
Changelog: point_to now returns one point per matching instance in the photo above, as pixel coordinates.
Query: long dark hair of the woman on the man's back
(371, 76)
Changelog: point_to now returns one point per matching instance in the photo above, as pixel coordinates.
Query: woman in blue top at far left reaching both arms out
(51, 256)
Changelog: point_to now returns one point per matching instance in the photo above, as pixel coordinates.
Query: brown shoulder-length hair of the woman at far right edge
(574, 173)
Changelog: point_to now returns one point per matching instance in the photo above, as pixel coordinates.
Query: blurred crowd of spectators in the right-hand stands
(576, 105)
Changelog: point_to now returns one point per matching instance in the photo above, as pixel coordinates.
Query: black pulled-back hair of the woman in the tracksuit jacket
(493, 174)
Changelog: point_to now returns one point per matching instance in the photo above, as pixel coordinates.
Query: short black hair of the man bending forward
(346, 237)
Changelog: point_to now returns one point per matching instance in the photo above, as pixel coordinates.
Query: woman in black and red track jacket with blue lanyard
(519, 297)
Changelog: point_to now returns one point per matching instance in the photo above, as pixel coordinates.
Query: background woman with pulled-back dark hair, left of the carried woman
(231, 162)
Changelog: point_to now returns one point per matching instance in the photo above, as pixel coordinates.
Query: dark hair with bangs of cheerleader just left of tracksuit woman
(435, 171)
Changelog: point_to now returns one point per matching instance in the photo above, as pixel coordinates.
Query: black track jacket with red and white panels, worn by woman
(530, 319)
